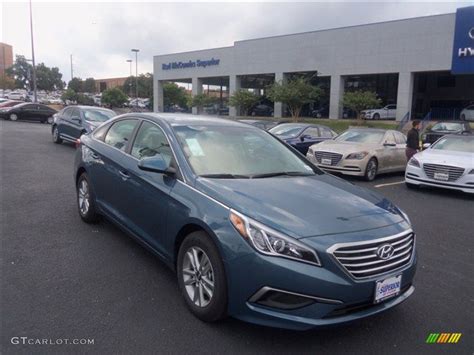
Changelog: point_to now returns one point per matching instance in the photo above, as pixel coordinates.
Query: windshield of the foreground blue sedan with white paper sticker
(238, 152)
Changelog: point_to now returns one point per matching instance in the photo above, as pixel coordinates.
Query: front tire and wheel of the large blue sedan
(201, 277)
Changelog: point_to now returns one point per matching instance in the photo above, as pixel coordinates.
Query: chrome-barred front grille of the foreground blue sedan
(360, 260)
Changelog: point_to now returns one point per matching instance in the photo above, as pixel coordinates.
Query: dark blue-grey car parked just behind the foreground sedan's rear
(73, 121)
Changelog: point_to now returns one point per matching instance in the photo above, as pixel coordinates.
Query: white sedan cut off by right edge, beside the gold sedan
(448, 163)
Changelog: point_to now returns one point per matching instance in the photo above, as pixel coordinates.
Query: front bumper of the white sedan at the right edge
(416, 176)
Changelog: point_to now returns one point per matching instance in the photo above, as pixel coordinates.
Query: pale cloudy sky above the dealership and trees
(100, 35)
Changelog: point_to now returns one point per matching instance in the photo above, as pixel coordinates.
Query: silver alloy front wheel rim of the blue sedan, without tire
(198, 276)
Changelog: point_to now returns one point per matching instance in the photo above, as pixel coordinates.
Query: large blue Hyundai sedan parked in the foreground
(252, 229)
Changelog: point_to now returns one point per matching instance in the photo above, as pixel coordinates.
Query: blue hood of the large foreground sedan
(304, 206)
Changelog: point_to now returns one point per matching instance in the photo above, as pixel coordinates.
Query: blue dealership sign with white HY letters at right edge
(463, 48)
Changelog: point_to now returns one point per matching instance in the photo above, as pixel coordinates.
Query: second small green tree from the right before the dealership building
(294, 93)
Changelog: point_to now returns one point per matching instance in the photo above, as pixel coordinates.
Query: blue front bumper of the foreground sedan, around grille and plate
(337, 297)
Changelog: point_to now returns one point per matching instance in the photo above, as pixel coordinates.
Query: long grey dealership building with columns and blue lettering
(423, 65)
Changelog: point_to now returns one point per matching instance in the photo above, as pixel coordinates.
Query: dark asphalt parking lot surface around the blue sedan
(62, 278)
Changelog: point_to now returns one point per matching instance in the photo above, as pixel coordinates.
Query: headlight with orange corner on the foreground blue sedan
(270, 242)
